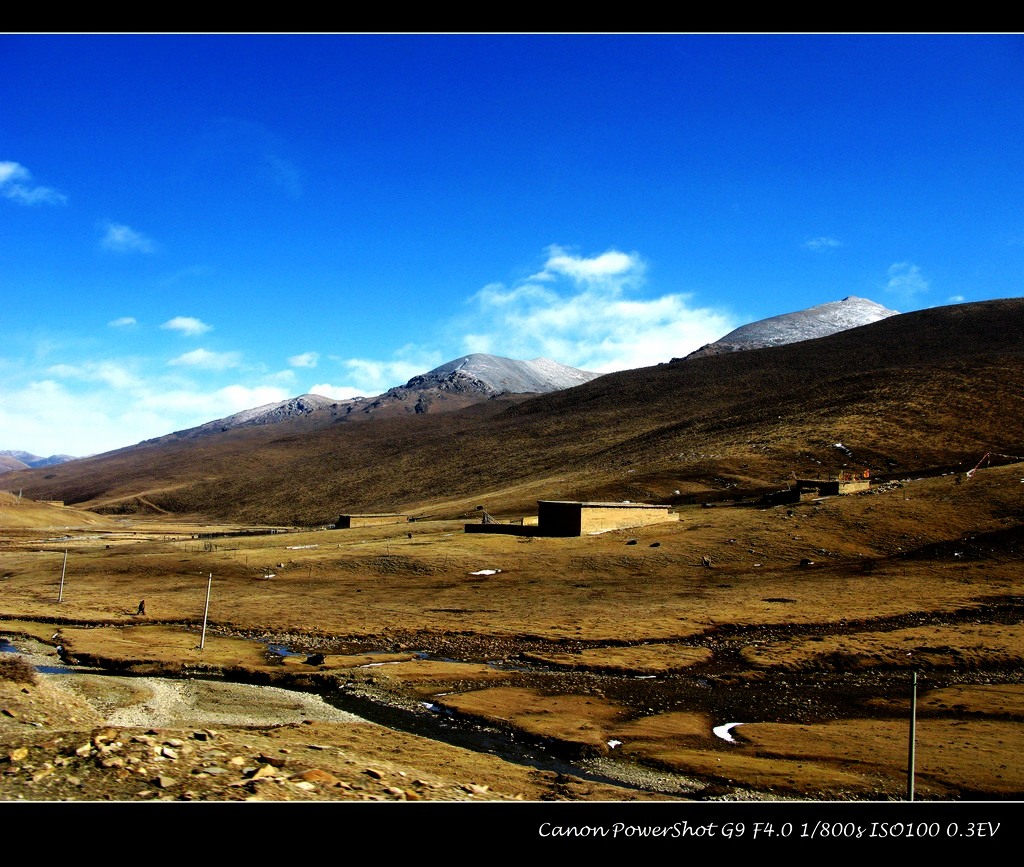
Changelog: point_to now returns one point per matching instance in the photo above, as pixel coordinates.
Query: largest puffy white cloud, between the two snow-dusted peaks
(582, 316)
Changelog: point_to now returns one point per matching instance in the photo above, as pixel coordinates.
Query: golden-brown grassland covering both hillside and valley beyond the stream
(625, 636)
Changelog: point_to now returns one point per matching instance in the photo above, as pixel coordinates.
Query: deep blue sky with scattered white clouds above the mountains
(196, 225)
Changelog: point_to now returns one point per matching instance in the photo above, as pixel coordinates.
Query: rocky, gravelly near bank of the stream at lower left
(78, 735)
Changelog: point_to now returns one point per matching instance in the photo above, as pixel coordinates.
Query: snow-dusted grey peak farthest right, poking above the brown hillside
(821, 321)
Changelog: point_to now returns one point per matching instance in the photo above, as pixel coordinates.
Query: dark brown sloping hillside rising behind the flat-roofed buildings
(937, 388)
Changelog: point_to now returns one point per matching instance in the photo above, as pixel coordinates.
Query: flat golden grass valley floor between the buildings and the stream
(611, 641)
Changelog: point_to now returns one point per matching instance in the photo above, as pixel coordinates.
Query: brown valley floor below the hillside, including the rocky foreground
(612, 658)
